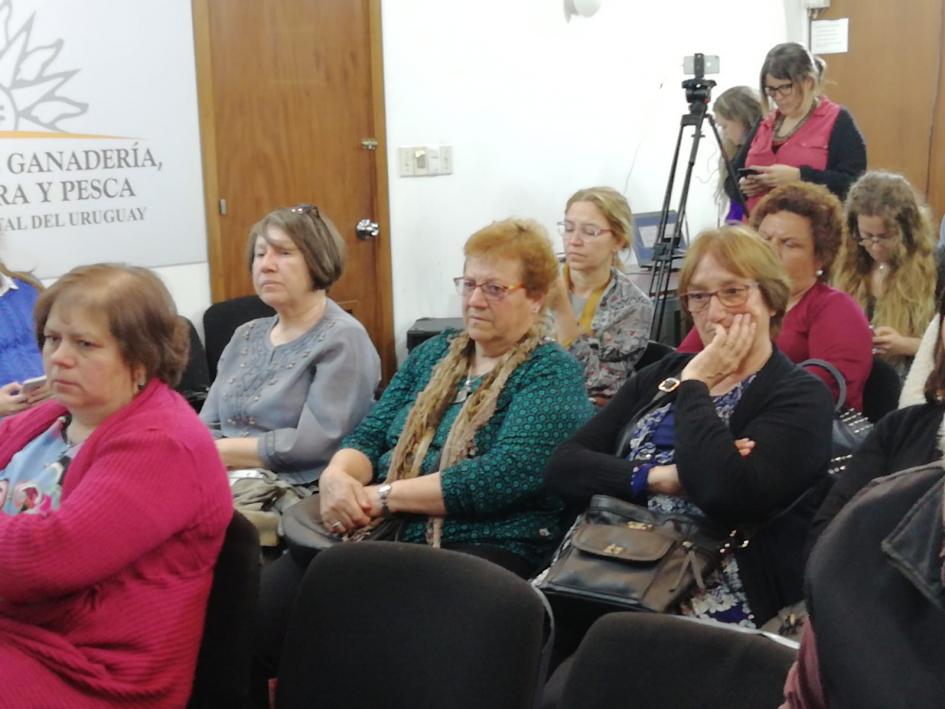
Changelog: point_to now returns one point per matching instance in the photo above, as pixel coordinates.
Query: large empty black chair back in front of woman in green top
(385, 624)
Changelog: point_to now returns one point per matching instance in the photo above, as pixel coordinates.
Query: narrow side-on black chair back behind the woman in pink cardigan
(222, 679)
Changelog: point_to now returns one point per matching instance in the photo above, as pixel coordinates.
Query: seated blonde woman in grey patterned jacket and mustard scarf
(600, 316)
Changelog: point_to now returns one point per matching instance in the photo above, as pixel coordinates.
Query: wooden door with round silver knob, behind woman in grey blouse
(291, 100)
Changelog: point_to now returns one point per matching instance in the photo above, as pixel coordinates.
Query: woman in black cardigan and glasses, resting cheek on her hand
(743, 434)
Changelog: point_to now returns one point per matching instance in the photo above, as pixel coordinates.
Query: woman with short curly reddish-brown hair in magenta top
(803, 223)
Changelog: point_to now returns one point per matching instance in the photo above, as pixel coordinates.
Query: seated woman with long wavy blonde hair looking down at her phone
(888, 263)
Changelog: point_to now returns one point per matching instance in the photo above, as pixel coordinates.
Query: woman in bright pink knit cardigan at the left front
(113, 505)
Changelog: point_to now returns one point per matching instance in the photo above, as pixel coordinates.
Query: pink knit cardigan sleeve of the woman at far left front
(136, 492)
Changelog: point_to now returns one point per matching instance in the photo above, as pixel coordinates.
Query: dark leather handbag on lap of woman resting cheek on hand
(624, 555)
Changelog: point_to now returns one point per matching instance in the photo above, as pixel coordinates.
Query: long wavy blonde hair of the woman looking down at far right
(909, 300)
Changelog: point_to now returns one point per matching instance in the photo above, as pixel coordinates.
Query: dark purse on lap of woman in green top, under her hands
(306, 534)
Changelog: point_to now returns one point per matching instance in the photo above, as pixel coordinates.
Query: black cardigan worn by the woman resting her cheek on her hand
(789, 420)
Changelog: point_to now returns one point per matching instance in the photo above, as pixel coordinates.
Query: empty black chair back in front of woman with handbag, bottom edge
(668, 662)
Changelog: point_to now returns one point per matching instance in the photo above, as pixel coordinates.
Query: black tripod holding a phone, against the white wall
(665, 249)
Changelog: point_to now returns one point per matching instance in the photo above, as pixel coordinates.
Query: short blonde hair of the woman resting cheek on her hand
(742, 251)
